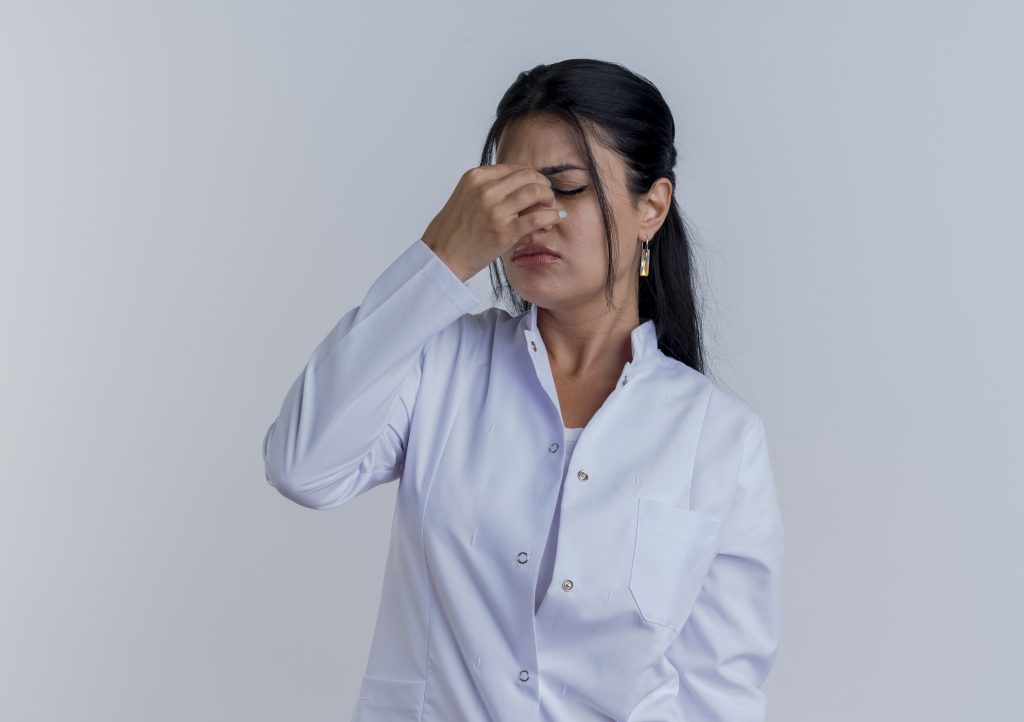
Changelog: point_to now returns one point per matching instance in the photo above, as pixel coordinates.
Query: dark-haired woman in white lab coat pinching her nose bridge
(635, 576)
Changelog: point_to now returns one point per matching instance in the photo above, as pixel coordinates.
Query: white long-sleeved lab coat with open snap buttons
(665, 596)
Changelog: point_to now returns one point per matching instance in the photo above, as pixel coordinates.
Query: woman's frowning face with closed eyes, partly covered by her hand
(577, 280)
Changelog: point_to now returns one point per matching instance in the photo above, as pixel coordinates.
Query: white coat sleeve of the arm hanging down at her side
(728, 648)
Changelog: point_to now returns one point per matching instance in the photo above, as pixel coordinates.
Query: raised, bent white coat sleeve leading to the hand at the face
(345, 423)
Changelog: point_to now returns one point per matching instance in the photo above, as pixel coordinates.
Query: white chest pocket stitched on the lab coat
(673, 553)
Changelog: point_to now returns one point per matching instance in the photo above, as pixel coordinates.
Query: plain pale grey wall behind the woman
(193, 193)
